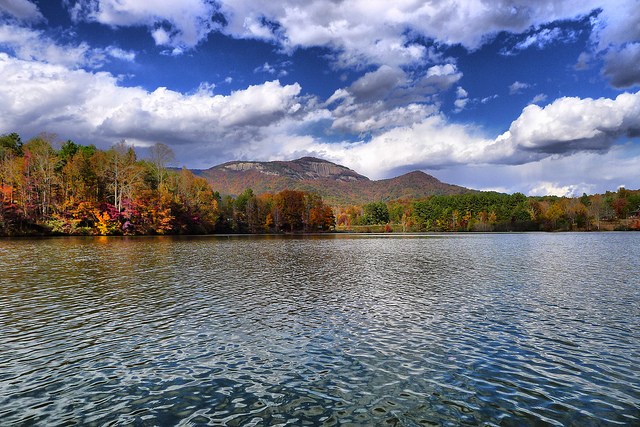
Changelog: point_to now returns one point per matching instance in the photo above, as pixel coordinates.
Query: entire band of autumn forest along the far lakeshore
(82, 190)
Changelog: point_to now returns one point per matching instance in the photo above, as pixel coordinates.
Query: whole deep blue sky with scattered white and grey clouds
(539, 97)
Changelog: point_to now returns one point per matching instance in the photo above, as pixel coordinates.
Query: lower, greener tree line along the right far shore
(491, 211)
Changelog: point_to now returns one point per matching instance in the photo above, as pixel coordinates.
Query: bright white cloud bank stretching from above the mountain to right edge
(568, 127)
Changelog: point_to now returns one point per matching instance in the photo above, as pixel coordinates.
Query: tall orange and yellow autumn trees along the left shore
(79, 189)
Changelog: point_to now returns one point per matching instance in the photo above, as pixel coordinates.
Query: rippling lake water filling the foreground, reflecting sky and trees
(510, 330)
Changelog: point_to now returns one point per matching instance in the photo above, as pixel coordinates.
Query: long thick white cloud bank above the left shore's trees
(53, 98)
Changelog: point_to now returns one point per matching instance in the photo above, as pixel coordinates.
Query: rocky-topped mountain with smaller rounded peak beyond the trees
(338, 185)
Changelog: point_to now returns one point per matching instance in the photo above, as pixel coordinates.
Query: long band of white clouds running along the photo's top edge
(359, 32)
